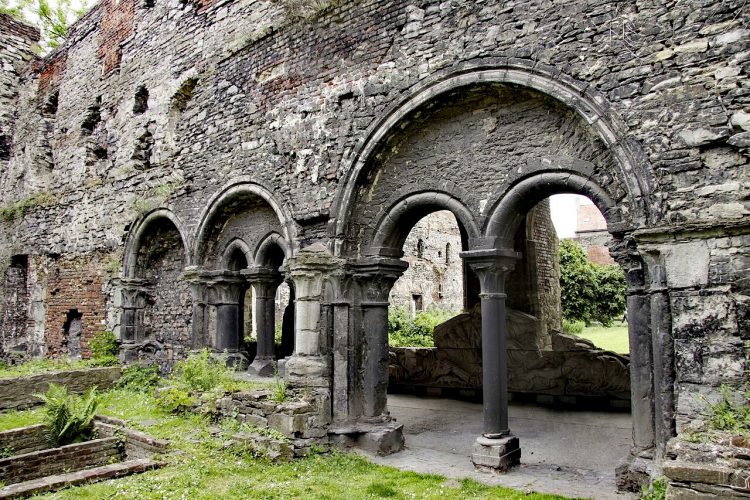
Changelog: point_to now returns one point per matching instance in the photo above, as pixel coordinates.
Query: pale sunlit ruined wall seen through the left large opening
(435, 277)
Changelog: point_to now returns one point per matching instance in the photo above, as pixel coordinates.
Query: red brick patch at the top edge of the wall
(116, 25)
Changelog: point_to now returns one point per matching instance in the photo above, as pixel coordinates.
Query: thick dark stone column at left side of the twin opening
(376, 277)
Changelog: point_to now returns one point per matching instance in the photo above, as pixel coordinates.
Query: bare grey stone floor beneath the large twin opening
(571, 453)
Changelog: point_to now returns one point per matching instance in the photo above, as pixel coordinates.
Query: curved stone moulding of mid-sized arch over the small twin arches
(229, 192)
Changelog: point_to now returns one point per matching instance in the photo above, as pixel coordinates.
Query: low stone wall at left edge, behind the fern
(18, 393)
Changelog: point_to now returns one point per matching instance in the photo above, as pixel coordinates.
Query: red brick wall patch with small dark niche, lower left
(74, 284)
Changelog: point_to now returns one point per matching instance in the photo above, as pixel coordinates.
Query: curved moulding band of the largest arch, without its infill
(631, 163)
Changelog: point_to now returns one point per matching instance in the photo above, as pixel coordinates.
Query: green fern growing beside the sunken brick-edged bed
(69, 418)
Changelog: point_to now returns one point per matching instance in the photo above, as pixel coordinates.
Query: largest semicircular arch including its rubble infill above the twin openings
(479, 127)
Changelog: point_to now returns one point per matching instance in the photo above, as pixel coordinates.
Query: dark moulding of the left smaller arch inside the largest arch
(394, 226)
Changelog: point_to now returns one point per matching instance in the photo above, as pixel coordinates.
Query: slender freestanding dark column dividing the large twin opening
(496, 448)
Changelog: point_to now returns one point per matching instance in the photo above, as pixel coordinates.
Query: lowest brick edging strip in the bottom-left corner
(60, 481)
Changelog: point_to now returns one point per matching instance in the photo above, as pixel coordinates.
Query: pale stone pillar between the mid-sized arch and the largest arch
(310, 269)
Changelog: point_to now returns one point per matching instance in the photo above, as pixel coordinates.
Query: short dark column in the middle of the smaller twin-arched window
(264, 281)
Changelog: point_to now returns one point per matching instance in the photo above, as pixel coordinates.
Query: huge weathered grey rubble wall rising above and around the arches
(647, 101)
